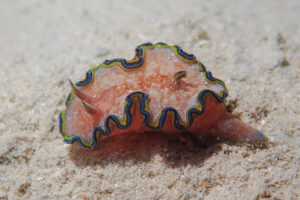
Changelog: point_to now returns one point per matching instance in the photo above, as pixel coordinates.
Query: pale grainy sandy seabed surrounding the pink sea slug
(254, 46)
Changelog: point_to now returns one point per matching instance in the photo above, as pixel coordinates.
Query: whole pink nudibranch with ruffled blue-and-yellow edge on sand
(162, 89)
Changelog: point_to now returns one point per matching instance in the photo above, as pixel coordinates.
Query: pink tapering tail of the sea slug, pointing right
(234, 129)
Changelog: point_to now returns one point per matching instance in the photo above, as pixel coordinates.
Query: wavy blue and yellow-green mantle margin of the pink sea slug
(113, 120)
